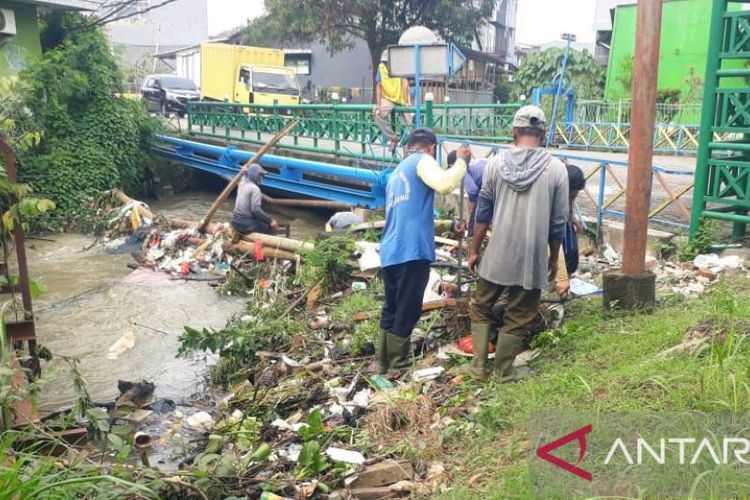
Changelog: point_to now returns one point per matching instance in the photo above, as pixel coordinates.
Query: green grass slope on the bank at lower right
(597, 364)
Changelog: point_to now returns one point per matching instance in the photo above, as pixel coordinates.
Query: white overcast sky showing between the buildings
(538, 21)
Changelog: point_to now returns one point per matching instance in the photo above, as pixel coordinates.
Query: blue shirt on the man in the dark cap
(409, 232)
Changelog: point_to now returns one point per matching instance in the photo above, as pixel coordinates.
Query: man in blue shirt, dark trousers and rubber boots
(407, 247)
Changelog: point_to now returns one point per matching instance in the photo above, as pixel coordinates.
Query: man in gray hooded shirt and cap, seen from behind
(524, 197)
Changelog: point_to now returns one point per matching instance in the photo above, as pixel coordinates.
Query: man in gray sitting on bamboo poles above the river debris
(248, 216)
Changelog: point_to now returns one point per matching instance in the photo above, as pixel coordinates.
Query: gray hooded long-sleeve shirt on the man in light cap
(525, 197)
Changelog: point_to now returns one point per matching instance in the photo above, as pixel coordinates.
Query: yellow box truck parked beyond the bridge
(240, 74)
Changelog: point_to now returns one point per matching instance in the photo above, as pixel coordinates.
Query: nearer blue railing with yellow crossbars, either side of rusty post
(606, 197)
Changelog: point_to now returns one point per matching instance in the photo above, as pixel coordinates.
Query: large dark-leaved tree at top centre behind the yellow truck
(338, 23)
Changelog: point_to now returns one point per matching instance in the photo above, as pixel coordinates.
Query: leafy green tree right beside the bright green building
(540, 69)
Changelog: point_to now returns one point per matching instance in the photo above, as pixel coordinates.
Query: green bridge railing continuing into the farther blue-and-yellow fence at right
(349, 130)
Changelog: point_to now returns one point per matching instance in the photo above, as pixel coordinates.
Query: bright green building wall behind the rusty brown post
(684, 44)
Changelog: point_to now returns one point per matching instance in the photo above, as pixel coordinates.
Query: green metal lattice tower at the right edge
(722, 176)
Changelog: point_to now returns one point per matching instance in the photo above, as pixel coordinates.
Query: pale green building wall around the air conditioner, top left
(17, 50)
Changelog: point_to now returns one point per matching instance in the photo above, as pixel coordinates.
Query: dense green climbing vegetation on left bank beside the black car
(91, 138)
